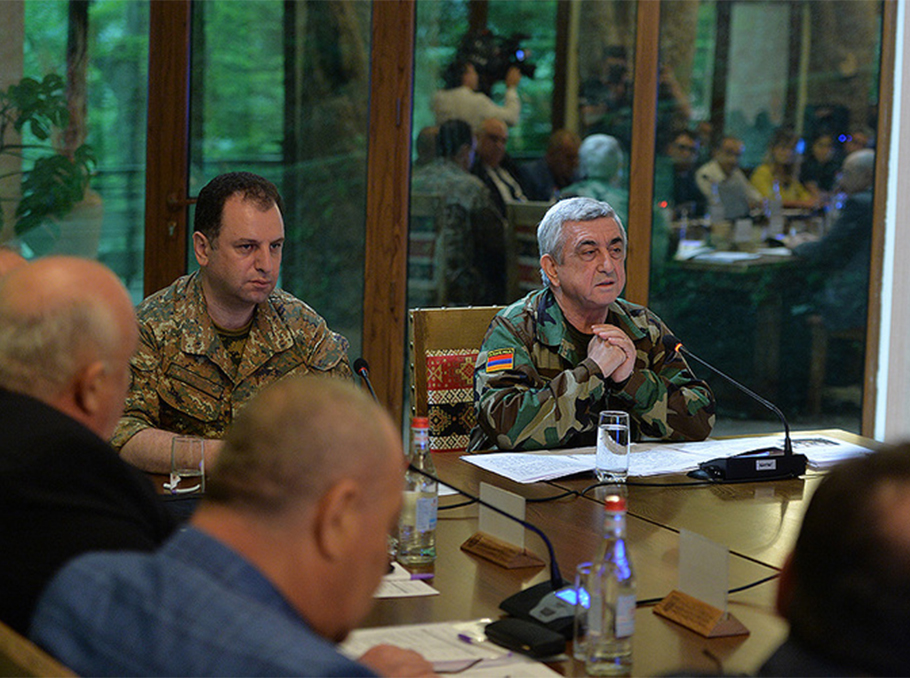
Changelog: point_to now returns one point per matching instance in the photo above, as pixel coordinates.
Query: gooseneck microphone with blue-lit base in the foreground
(549, 603)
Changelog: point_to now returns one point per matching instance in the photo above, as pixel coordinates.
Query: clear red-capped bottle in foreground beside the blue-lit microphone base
(611, 616)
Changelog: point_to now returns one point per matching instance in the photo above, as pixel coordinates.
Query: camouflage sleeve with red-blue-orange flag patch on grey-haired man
(517, 408)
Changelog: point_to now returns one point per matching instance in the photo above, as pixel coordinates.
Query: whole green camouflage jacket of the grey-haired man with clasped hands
(534, 388)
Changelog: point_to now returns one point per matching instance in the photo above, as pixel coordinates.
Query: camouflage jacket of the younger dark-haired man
(182, 378)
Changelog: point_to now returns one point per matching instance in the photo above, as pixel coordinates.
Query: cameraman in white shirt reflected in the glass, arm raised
(461, 100)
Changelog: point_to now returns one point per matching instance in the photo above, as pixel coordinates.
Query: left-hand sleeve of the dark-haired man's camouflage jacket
(141, 408)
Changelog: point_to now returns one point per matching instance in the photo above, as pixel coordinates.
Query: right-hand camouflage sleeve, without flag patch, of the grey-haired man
(663, 394)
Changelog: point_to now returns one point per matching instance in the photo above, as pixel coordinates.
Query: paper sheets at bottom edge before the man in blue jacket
(452, 647)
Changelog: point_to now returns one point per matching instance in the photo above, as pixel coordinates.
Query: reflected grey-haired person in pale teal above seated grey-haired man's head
(603, 165)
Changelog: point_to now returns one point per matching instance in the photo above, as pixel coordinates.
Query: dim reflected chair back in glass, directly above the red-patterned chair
(426, 277)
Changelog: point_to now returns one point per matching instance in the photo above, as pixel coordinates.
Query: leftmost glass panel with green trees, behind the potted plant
(100, 53)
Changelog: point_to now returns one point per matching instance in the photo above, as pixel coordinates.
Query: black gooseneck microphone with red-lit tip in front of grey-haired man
(768, 463)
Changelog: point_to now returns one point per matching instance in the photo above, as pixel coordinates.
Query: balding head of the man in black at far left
(66, 325)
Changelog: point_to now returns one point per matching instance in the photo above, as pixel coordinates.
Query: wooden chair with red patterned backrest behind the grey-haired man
(444, 343)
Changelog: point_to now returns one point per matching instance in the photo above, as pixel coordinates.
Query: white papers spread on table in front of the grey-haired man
(653, 459)
